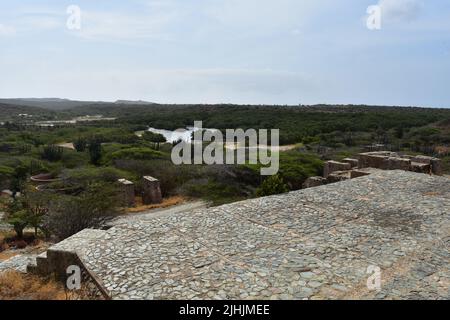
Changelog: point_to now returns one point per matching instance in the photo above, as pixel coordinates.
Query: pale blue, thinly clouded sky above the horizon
(228, 51)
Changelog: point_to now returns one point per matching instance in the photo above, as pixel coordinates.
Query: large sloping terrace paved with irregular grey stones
(310, 244)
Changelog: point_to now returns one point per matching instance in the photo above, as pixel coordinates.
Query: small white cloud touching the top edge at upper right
(400, 10)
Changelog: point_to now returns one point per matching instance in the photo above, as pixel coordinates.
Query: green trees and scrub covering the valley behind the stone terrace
(105, 151)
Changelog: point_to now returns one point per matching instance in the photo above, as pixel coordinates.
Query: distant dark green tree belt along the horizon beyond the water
(296, 123)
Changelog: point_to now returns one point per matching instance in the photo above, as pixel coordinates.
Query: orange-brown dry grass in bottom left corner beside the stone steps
(18, 286)
